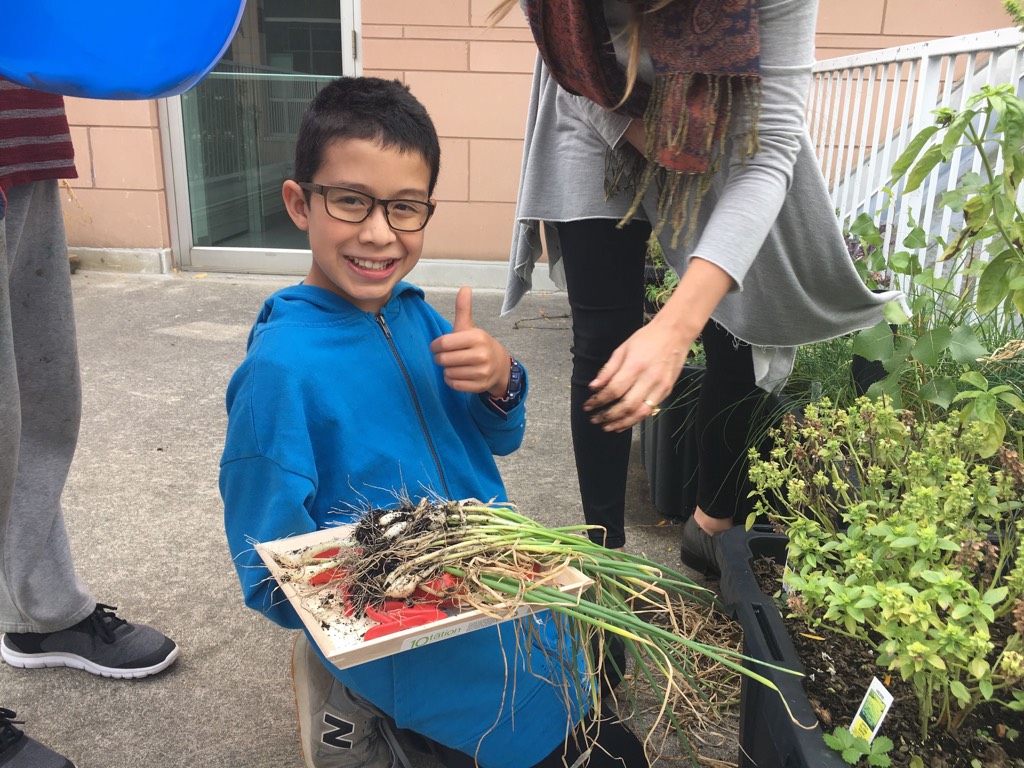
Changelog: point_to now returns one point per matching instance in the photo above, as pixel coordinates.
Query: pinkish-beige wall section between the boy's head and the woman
(476, 83)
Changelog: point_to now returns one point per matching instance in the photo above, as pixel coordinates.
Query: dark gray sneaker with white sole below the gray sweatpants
(101, 644)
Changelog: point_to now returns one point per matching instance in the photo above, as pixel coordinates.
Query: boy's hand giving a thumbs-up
(473, 359)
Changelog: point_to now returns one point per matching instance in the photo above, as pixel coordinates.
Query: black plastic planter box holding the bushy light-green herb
(769, 737)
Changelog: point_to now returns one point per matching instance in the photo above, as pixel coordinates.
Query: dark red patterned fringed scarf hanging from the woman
(706, 57)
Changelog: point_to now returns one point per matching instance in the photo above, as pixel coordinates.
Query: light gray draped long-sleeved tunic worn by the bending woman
(767, 222)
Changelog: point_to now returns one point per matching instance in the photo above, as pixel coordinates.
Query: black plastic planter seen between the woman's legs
(669, 449)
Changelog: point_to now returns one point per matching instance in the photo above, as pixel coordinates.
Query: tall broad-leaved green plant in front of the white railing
(960, 349)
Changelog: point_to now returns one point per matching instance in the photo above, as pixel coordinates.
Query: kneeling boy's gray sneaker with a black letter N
(337, 728)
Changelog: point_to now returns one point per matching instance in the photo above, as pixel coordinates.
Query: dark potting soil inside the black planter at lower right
(839, 671)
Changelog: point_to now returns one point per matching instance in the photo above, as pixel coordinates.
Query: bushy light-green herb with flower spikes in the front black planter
(902, 537)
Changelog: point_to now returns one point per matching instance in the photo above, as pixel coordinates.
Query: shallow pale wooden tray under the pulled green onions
(343, 643)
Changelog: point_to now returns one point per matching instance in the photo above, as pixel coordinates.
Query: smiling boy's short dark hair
(369, 109)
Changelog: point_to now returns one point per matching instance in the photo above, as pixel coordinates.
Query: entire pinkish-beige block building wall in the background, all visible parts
(476, 83)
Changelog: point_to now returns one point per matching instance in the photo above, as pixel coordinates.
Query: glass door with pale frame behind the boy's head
(238, 131)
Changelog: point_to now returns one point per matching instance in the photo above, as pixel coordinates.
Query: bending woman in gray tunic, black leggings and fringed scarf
(686, 119)
